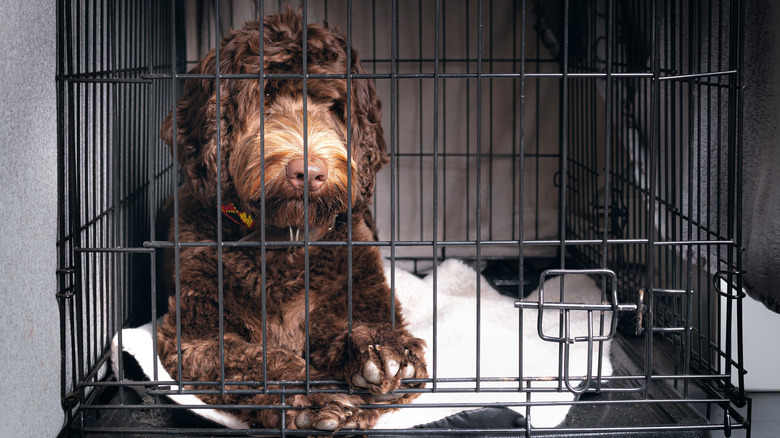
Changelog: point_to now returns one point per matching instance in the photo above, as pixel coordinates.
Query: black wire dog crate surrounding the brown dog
(530, 140)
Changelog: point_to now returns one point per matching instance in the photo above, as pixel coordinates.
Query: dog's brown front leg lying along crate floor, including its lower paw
(202, 361)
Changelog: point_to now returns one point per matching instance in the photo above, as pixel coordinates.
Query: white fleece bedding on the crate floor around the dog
(456, 346)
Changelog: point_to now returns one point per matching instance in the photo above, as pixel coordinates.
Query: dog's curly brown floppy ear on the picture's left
(196, 131)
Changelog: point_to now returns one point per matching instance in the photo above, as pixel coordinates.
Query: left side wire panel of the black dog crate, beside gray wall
(112, 170)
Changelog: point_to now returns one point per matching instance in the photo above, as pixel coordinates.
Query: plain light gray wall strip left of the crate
(29, 320)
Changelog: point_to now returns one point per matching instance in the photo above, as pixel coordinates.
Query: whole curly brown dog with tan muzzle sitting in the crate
(378, 353)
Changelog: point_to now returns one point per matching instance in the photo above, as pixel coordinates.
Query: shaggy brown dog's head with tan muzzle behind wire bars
(261, 125)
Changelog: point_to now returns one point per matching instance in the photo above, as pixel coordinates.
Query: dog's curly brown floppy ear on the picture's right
(368, 140)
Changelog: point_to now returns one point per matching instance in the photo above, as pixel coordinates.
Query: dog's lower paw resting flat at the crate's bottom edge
(335, 416)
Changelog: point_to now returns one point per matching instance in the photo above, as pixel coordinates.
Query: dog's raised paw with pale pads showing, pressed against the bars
(382, 358)
